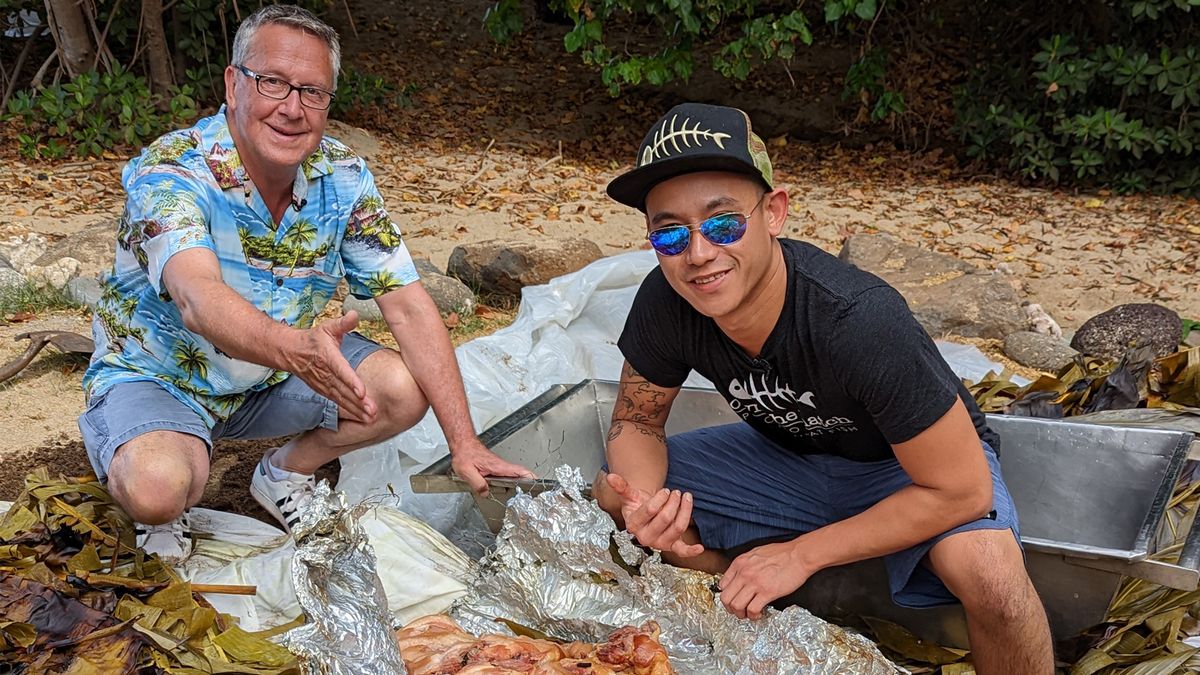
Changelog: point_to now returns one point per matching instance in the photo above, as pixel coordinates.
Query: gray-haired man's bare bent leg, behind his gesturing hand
(401, 405)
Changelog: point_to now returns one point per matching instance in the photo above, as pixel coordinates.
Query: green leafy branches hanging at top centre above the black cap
(746, 34)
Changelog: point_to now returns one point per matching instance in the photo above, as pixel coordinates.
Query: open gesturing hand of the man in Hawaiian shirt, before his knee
(319, 361)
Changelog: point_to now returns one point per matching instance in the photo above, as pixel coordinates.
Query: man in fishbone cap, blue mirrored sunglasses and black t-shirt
(857, 440)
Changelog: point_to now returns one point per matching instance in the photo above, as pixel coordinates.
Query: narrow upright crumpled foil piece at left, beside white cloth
(334, 574)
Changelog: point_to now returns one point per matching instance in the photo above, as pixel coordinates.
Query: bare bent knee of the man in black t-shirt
(986, 571)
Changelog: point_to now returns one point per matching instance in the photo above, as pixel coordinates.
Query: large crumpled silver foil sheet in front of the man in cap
(561, 568)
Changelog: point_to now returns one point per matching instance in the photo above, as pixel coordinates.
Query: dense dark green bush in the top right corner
(1099, 109)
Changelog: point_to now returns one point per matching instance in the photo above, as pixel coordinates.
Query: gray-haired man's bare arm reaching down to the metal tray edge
(425, 345)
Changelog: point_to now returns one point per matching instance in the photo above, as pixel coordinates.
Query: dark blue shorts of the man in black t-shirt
(749, 491)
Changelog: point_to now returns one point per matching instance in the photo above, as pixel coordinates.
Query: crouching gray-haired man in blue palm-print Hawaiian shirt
(235, 237)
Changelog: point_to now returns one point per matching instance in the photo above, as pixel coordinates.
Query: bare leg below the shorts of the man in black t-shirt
(1006, 622)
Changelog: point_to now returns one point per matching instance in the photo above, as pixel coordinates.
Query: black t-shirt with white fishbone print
(847, 371)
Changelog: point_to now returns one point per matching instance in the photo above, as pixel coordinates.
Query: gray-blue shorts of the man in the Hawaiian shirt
(129, 410)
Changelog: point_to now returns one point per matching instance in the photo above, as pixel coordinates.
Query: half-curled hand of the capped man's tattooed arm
(657, 521)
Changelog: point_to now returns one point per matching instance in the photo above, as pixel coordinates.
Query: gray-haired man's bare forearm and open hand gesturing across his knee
(214, 310)
